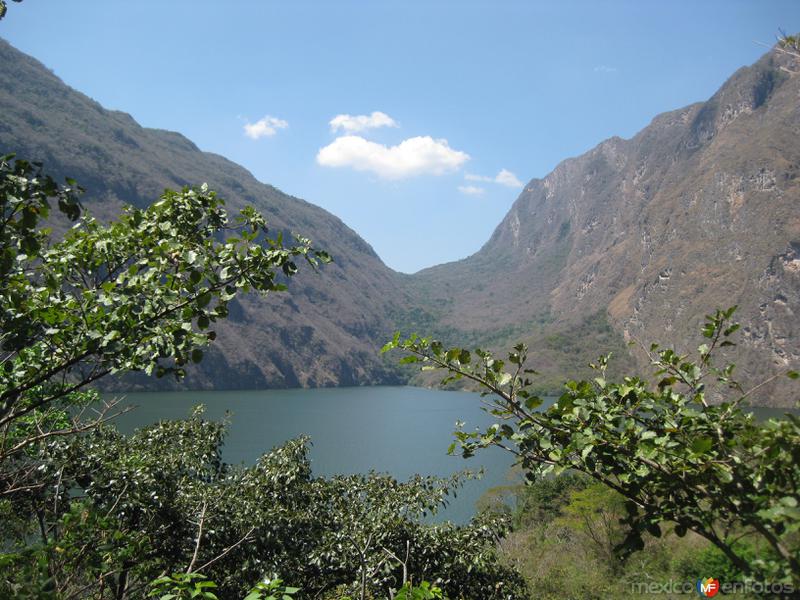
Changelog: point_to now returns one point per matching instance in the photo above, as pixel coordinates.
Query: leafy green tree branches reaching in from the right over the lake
(675, 457)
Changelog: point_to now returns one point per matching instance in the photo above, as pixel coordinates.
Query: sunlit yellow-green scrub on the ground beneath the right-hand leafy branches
(566, 528)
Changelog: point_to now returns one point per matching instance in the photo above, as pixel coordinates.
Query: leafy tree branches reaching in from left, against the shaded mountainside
(139, 294)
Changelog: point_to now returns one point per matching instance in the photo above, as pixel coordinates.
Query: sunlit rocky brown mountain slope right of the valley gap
(699, 210)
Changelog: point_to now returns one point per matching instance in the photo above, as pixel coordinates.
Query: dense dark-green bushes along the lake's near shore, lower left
(120, 511)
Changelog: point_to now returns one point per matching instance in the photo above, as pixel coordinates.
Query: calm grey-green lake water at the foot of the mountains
(398, 430)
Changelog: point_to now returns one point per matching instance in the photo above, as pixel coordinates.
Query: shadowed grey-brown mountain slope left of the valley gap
(326, 331)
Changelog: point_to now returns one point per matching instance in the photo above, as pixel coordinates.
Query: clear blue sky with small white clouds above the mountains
(444, 107)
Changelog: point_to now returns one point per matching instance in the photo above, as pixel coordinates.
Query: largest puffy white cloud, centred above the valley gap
(420, 155)
